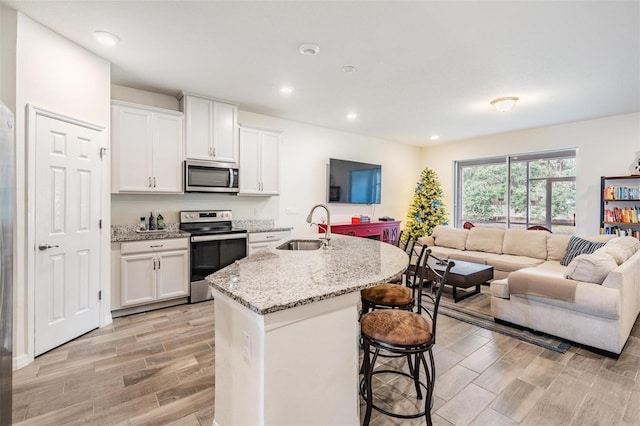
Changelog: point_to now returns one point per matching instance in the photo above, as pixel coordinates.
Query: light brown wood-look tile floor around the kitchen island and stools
(157, 368)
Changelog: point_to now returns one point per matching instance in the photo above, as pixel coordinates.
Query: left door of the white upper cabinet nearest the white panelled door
(132, 150)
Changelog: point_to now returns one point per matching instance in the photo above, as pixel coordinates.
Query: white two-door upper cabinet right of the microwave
(259, 162)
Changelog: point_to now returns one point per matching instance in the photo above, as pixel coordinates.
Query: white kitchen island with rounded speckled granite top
(287, 333)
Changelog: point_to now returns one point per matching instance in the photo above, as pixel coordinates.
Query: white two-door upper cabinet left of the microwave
(148, 149)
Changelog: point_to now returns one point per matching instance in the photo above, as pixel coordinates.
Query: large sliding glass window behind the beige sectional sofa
(518, 191)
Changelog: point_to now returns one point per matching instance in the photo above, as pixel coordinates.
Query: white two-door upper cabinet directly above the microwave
(210, 129)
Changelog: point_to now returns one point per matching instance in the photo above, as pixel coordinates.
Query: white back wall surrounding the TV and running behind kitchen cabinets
(304, 153)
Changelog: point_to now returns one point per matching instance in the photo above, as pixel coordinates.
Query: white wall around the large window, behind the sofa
(606, 147)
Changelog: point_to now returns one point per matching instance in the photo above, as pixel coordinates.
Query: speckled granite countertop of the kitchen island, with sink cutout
(273, 280)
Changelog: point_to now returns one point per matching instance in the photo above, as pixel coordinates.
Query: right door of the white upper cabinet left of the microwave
(167, 153)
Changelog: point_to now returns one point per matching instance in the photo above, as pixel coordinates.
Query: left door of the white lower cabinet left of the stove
(137, 279)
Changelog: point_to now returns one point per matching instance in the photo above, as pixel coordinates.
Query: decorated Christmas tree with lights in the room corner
(426, 210)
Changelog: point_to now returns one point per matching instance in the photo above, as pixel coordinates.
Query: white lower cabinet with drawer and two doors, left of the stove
(153, 270)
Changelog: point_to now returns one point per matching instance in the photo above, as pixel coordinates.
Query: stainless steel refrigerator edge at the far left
(7, 189)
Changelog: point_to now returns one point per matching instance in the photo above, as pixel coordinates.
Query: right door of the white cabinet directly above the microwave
(225, 142)
